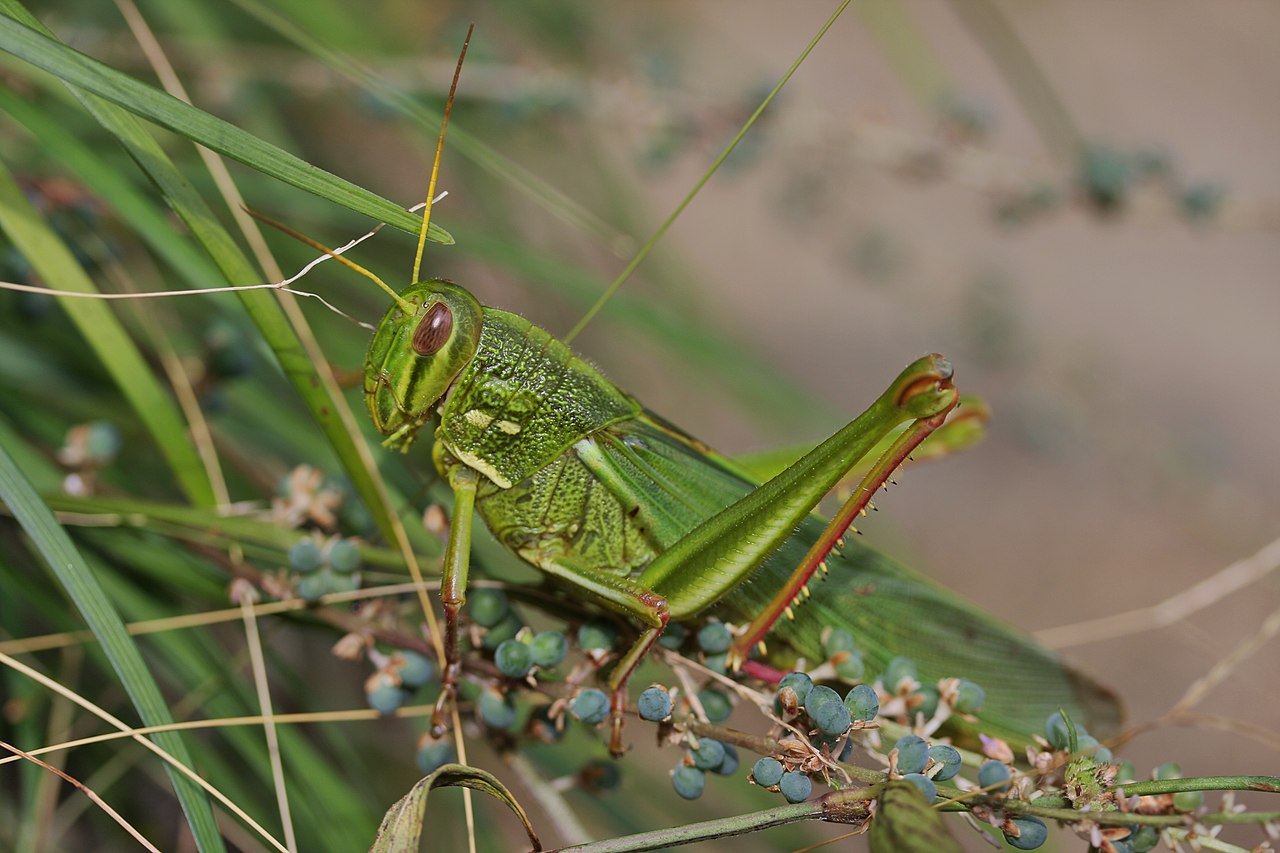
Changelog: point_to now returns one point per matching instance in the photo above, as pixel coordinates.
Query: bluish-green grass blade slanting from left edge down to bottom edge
(89, 597)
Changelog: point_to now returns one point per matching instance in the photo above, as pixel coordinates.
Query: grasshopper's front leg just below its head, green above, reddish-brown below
(454, 589)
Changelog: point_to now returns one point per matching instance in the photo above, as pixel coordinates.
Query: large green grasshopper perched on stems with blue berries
(582, 482)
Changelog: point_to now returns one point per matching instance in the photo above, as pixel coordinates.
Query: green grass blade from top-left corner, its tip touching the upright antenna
(168, 112)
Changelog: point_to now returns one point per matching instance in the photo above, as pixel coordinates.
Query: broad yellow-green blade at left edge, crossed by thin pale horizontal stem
(104, 332)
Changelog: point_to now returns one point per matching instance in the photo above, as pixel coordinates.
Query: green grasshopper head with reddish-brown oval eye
(415, 357)
